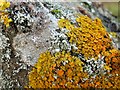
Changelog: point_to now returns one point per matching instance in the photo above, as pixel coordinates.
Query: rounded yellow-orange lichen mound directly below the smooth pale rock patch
(54, 71)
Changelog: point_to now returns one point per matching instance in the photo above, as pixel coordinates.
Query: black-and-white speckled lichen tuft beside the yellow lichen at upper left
(21, 17)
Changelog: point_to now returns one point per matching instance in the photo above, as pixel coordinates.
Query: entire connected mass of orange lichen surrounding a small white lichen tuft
(62, 70)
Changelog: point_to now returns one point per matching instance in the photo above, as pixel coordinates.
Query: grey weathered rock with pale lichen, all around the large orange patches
(35, 29)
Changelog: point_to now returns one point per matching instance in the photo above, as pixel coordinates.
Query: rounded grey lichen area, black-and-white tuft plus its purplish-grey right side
(28, 16)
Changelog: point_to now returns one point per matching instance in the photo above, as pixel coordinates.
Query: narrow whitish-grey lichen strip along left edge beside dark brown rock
(5, 53)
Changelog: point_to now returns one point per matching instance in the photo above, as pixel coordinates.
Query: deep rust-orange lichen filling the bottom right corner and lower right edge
(110, 79)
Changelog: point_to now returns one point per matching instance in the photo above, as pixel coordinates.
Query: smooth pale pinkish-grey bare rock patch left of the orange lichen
(29, 46)
